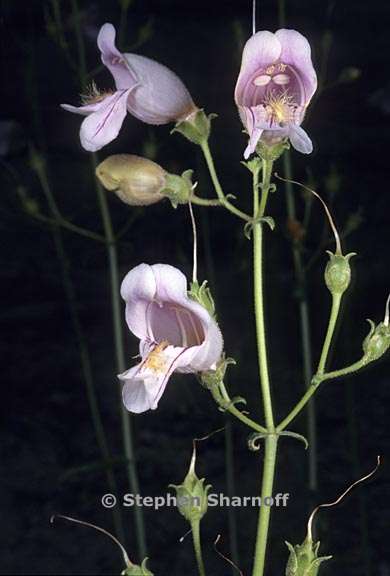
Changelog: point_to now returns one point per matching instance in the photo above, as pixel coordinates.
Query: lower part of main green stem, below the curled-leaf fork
(265, 511)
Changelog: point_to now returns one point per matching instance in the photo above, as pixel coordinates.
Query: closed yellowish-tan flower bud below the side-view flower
(137, 181)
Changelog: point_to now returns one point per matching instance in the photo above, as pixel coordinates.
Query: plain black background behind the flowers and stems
(50, 462)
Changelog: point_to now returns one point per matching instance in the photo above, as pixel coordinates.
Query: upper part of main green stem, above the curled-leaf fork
(258, 212)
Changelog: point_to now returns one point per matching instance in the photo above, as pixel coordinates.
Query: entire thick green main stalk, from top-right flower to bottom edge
(271, 439)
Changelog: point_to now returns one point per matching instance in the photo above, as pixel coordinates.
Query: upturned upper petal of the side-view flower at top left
(115, 61)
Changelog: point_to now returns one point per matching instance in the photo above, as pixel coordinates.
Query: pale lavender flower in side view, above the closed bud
(148, 90)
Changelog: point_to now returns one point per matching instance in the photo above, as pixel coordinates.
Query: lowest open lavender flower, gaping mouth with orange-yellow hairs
(176, 334)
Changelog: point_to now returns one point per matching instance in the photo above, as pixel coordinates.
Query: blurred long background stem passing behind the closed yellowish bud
(112, 256)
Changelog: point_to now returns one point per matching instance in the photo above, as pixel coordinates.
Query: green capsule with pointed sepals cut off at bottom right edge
(304, 559)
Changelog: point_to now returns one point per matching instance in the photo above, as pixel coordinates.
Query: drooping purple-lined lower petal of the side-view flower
(103, 125)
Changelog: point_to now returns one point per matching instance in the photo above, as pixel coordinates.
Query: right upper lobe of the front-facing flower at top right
(296, 51)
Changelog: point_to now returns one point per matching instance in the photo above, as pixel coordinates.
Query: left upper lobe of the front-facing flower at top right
(261, 50)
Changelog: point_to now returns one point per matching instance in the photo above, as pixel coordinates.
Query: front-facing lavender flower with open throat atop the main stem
(275, 85)
